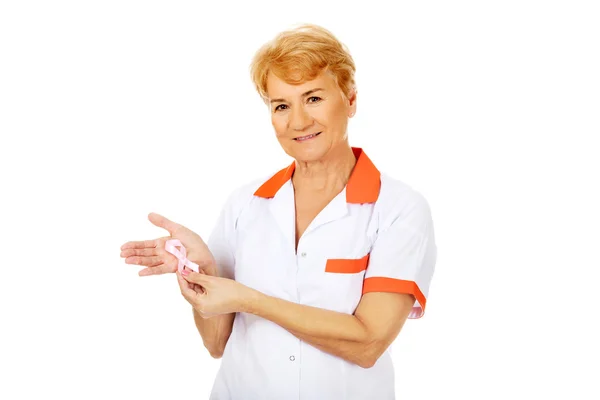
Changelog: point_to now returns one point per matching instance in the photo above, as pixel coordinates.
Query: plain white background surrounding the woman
(110, 110)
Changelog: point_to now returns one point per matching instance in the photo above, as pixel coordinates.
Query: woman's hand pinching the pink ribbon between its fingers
(212, 295)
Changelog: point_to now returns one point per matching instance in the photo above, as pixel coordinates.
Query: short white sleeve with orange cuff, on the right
(403, 256)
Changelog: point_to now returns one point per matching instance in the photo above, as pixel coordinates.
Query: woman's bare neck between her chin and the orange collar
(330, 174)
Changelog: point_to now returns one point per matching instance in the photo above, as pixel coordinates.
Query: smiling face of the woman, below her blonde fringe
(316, 108)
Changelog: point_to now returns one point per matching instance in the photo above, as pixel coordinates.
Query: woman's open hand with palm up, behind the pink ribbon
(152, 254)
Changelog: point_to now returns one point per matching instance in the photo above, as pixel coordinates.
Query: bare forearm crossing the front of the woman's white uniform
(340, 334)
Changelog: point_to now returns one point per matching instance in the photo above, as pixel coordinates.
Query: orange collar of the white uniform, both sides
(363, 185)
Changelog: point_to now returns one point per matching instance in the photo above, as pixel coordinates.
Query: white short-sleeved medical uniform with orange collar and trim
(374, 236)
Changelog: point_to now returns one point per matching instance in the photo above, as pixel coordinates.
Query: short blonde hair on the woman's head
(301, 54)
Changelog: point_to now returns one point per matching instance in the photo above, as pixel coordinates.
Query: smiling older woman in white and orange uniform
(309, 274)
